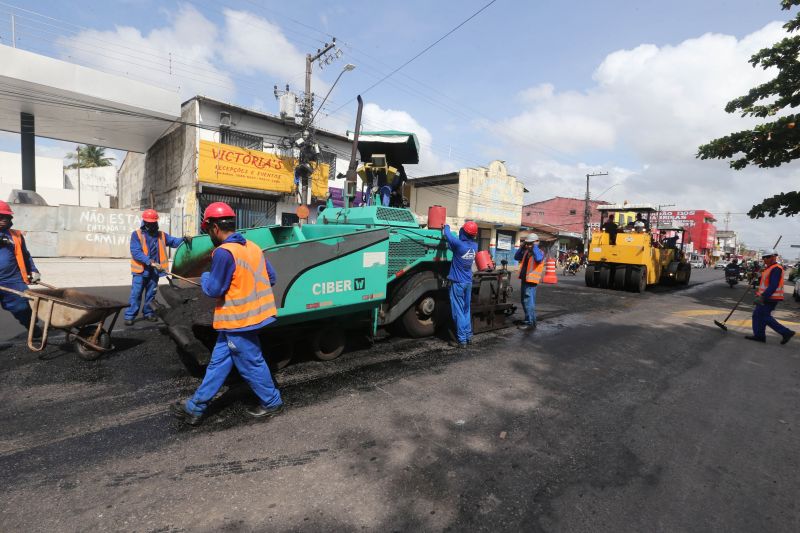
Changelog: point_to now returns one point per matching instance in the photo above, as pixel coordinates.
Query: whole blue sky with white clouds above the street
(554, 88)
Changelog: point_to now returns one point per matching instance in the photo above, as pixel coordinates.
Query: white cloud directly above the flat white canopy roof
(180, 57)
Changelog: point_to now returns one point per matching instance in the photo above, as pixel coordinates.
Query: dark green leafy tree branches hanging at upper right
(772, 143)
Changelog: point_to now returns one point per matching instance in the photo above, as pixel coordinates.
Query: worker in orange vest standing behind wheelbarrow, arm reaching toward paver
(148, 263)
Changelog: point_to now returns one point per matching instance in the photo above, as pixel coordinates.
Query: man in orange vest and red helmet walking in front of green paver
(241, 280)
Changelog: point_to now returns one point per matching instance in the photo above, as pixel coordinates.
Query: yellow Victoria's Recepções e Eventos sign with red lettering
(239, 167)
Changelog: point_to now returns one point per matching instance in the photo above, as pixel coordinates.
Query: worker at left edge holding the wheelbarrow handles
(16, 269)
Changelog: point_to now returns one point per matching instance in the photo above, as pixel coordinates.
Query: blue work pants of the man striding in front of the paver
(243, 350)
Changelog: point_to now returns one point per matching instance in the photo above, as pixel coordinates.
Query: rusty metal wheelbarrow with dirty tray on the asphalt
(82, 316)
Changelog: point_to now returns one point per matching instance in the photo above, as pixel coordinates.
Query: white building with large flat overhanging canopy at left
(60, 100)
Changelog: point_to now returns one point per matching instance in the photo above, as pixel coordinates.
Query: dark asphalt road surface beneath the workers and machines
(621, 412)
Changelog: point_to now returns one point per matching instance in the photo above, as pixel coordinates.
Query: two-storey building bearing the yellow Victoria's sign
(222, 152)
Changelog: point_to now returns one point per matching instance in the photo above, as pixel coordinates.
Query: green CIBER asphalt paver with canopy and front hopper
(356, 270)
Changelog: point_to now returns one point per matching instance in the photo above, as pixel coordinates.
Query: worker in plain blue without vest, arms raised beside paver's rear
(464, 249)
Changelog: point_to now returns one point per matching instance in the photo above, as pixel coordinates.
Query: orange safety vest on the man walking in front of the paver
(249, 299)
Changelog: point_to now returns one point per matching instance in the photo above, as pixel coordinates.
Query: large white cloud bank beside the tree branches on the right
(648, 111)
